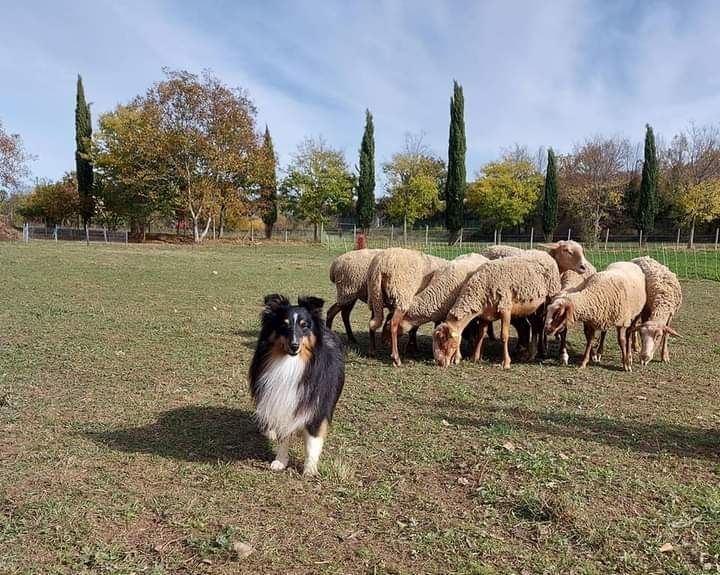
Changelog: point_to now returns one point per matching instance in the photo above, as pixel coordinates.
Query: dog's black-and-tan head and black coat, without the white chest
(300, 330)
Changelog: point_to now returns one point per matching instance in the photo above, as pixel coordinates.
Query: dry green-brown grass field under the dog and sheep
(127, 444)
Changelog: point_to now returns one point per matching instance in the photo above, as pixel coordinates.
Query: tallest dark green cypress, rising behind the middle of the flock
(455, 184)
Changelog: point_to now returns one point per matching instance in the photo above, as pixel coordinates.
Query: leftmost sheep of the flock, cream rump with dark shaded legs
(349, 273)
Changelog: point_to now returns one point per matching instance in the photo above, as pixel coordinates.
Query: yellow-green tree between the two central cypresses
(414, 178)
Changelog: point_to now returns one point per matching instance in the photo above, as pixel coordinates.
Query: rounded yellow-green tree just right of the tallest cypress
(505, 193)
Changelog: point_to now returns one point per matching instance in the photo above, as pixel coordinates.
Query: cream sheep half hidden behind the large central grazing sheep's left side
(433, 302)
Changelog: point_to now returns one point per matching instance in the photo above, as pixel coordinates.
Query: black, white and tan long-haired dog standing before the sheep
(296, 377)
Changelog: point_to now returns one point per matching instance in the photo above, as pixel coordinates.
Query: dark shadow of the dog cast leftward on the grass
(199, 434)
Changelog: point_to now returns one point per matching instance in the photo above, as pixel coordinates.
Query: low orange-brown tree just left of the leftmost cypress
(53, 202)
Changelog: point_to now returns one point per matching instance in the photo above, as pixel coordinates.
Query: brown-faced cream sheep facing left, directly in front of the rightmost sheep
(613, 297)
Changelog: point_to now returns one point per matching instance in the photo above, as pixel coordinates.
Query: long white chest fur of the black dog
(278, 396)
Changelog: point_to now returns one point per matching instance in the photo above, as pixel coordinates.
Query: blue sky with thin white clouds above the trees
(533, 73)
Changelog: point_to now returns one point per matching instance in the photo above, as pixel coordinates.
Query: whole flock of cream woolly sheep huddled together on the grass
(539, 292)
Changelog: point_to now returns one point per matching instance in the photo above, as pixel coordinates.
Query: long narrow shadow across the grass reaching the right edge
(650, 438)
